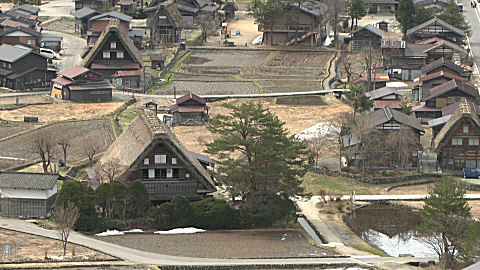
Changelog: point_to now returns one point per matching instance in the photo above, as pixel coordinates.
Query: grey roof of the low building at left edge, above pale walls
(21, 180)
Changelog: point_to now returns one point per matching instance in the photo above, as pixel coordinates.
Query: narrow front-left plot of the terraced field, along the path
(208, 88)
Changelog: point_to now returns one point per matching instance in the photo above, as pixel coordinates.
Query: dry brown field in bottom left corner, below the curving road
(20, 246)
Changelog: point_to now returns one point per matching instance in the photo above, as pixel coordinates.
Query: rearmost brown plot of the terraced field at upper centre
(223, 58)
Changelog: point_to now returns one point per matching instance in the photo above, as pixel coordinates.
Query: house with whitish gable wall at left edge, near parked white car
(21, 35)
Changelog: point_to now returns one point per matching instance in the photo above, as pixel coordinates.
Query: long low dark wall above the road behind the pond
(374, 180)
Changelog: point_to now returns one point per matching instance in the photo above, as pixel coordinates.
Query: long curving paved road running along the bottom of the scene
(143, 257)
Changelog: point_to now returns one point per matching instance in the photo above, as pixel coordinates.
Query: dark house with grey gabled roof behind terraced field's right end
(366, 37)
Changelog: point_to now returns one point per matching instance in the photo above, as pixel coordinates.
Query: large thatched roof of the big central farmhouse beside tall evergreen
(145, 131)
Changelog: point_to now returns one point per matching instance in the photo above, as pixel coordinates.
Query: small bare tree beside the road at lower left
(65, 217)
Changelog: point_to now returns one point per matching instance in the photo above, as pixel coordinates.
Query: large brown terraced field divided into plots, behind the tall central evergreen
(207, 72)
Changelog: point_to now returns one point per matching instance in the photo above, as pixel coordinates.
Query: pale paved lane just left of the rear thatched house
(73, 47)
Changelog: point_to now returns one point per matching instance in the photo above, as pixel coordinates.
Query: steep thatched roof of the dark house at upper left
(113, 29)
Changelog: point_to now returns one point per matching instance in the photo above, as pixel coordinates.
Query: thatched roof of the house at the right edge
(464, 111)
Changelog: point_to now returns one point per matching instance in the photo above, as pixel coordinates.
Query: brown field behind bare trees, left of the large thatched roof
(98, 132)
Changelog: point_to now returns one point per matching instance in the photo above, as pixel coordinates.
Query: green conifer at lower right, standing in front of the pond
(446, 219)
